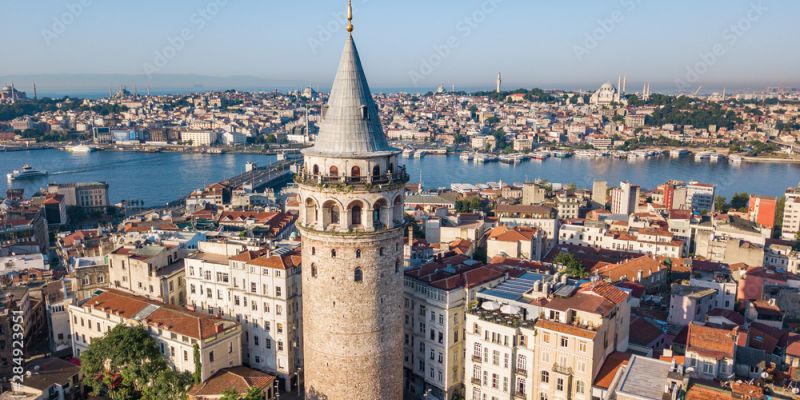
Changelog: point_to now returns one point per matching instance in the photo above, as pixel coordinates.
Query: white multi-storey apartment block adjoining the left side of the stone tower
(260, 289)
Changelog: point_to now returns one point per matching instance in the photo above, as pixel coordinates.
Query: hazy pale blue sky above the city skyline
(413, 43)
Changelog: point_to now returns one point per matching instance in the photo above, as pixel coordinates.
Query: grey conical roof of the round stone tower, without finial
(350, 124)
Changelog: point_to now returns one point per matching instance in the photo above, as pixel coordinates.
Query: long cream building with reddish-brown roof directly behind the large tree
(175, 329)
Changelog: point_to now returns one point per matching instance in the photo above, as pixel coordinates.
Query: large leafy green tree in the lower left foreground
(125, 363)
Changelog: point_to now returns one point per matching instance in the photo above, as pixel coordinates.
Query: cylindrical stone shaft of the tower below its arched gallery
(353, 330)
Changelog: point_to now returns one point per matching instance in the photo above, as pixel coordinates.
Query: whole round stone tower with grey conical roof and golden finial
(352, 224)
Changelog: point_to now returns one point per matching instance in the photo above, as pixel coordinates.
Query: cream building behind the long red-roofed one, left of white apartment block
(152, 271)
